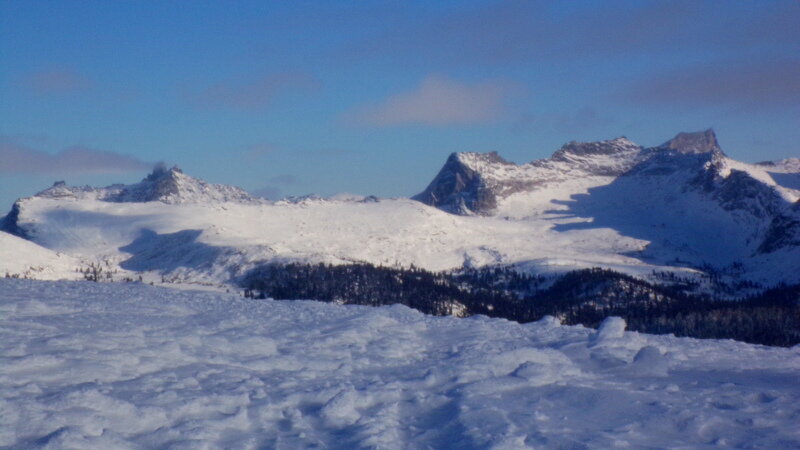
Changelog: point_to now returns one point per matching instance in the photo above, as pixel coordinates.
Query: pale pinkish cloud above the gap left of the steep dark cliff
(437, 101)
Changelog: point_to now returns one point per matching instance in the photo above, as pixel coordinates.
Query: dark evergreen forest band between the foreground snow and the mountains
(581, 297)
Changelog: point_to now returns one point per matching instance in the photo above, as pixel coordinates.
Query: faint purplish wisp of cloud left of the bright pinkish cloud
(252, 94)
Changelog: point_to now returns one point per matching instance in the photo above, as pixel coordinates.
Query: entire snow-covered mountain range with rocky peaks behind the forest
(682, 207)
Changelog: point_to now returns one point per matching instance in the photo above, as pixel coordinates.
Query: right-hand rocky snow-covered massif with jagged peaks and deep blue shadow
(686, 198)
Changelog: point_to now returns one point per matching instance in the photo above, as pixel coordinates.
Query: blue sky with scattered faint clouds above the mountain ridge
(289, 98)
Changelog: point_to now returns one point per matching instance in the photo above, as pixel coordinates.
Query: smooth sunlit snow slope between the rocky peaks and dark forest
(213, 242)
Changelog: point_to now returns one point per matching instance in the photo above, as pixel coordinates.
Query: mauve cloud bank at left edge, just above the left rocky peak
(19, 159)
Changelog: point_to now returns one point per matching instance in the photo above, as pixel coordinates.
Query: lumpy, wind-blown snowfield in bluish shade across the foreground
(88, 365)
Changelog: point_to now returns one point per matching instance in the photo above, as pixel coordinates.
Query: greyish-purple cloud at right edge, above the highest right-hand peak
(772, 84)
